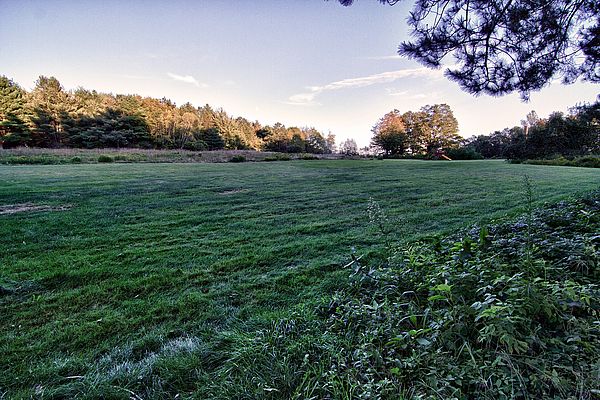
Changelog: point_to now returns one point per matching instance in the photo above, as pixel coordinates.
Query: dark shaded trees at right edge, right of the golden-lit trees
(576, 133)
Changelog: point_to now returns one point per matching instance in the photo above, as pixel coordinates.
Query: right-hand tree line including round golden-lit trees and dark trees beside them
(433, 129)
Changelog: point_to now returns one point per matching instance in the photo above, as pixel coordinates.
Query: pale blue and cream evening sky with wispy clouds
(299, 62)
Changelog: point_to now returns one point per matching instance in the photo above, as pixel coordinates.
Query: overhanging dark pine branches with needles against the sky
(505, 46)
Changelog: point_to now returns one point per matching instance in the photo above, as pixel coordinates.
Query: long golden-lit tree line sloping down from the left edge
(50, 116)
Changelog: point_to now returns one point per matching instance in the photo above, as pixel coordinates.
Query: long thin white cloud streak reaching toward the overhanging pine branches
(308, 98)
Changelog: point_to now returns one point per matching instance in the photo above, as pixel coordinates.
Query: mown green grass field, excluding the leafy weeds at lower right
(108, 271)
